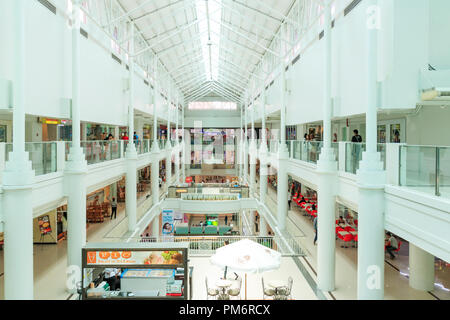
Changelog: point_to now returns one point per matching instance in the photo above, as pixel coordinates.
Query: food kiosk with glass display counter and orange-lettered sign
(143, 270)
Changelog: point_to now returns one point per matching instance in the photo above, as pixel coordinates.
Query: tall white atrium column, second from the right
(327, 174)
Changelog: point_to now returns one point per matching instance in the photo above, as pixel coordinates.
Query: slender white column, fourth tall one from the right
(263, 168)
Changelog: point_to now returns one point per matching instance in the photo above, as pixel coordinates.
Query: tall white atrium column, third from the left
(131, 154)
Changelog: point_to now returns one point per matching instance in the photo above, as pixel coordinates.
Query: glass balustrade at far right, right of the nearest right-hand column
(425, 168)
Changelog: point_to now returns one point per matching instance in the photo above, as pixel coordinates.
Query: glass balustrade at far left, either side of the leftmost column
(41, 154)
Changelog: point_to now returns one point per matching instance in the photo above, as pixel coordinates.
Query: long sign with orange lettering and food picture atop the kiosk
(133, 257)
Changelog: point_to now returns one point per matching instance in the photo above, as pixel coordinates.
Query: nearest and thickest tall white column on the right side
(371, 181)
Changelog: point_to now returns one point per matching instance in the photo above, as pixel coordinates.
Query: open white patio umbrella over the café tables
(246, 256)
